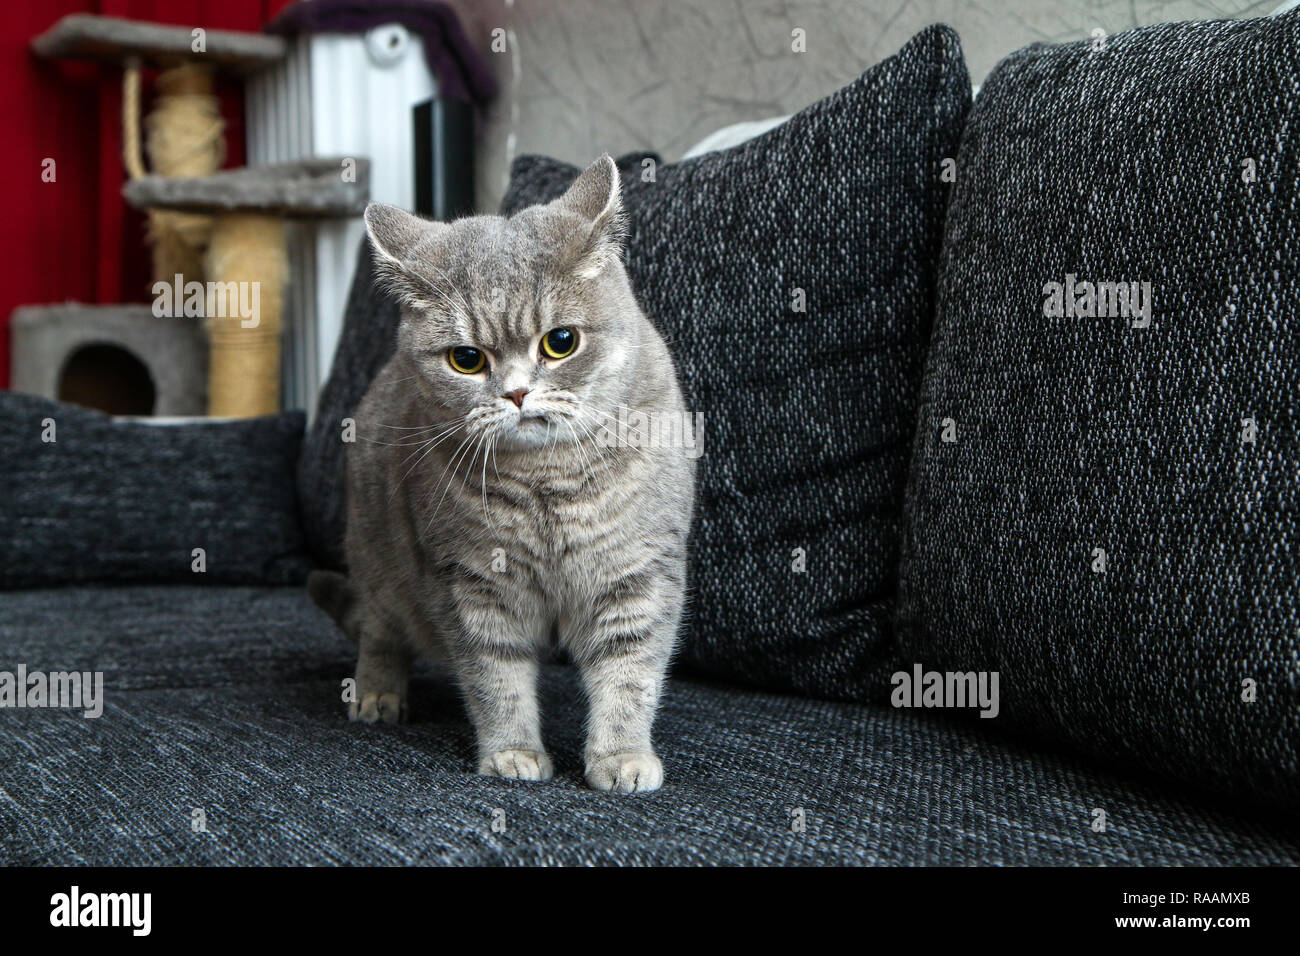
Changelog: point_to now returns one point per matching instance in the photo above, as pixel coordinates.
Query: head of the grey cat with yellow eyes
(526, 327)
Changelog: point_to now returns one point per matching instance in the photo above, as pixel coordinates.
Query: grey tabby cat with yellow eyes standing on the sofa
(486, 520)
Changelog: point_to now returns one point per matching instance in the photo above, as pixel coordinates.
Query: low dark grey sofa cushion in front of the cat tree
(129, 501)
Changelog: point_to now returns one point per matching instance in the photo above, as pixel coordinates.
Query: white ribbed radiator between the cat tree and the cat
(335, 96)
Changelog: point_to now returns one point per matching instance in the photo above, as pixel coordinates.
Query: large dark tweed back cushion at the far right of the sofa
(1078, 436)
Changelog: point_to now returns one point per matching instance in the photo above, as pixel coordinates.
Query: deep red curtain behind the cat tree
(75, 239)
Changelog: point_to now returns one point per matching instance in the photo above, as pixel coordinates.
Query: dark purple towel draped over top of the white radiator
(461, 71)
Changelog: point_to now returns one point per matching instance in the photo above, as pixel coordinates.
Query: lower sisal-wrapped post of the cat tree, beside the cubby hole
(246, 266)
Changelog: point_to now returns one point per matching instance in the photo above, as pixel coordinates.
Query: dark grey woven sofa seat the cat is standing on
(229, 700)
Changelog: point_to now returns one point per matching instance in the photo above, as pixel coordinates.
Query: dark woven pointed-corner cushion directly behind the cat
(808, 414)
